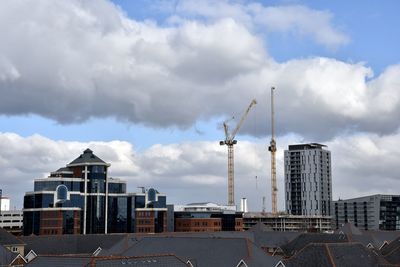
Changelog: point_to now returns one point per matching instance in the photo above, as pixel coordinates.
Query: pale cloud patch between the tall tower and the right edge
(365, 164)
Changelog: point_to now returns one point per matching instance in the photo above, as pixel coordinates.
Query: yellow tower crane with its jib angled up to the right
(230, 141)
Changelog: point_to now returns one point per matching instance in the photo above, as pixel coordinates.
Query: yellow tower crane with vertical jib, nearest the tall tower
(272, 149)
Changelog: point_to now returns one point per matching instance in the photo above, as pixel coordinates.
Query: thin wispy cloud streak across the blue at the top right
(296, 19)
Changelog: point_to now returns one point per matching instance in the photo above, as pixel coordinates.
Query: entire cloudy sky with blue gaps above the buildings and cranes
(146, 85)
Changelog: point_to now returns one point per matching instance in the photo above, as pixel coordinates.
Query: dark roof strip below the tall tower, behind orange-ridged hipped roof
(305, 239)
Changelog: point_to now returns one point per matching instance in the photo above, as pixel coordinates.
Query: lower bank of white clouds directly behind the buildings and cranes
(196, 171)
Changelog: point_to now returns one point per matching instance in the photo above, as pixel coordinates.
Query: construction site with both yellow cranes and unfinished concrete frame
(280, 221)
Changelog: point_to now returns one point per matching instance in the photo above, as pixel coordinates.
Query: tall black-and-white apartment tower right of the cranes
(308, 180)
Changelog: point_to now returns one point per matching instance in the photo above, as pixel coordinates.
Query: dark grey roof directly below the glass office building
(70, 244)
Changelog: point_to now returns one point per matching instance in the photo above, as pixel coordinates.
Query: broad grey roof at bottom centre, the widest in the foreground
(203, 251)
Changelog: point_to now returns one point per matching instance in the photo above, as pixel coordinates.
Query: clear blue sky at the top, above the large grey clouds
(371, 26)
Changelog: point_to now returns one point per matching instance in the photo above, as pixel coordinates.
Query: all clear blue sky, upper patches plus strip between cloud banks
(371, 27)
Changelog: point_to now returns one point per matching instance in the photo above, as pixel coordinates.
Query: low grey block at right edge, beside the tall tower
(375, 212)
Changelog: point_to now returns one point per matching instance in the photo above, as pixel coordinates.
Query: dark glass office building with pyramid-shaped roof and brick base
(81, 199)
